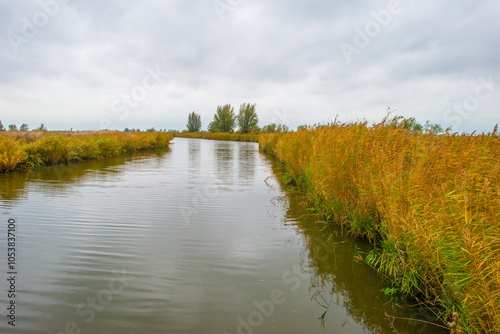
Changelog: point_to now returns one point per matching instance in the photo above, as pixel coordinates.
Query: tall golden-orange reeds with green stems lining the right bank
(429, 203)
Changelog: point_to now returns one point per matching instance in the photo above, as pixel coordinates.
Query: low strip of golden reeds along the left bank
(19, 149)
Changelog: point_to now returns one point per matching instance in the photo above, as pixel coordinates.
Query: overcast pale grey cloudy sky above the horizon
(112, 64)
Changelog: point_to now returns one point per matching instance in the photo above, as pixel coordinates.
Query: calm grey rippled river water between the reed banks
(197, 239)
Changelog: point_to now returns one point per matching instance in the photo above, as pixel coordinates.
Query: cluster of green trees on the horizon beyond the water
(225, 120)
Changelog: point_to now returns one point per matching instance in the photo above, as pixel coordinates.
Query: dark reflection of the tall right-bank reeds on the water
(339, 279)
